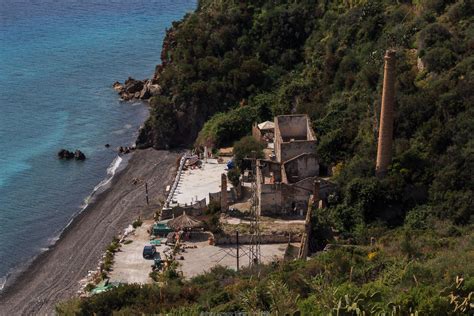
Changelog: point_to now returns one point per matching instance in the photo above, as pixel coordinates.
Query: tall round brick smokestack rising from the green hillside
(384, 149)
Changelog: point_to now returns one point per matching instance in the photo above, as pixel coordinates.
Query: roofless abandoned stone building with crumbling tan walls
(285, 183)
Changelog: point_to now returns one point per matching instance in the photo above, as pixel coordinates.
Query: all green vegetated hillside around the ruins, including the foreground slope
(232, 63)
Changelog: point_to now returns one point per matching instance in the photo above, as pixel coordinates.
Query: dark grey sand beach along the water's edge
(55, 274)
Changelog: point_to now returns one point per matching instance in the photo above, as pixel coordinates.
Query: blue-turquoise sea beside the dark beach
(58, 61)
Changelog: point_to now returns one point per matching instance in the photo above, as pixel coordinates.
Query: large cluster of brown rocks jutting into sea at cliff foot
(136, 89)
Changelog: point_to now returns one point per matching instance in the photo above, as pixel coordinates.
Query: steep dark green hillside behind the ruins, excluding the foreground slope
(231, 63)
